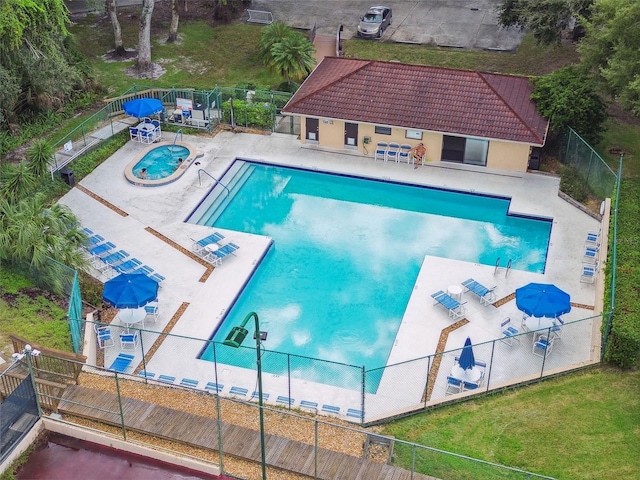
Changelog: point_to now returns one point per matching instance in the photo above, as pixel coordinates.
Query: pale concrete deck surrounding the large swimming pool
(141, 220)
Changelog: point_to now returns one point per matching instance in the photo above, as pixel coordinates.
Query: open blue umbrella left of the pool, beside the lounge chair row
(130, 290)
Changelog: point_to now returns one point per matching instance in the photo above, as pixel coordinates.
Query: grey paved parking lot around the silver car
(470, 24)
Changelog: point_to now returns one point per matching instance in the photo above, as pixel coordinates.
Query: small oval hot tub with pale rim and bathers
(160, 164)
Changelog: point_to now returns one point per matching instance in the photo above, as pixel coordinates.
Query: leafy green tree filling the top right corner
(610, 49)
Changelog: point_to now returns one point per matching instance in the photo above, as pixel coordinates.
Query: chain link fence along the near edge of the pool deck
(353, 393)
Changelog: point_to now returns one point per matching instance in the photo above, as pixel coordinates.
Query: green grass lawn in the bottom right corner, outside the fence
(583, 425)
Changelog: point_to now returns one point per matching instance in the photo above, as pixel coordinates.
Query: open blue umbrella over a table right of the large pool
(543, 300)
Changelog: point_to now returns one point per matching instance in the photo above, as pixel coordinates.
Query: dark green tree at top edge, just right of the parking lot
(546, 19)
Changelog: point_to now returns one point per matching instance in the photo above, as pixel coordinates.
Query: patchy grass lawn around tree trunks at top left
(202, 58)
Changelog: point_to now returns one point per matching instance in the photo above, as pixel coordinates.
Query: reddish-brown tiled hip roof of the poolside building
(438, 99)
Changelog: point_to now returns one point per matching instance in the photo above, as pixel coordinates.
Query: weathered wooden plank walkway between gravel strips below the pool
(240, 442)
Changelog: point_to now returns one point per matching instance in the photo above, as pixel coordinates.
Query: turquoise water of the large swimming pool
(346, 254)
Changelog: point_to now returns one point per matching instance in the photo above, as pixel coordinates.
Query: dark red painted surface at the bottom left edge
(66, 458)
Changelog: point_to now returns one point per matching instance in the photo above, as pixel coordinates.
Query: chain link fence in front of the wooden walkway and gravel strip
(145, 411)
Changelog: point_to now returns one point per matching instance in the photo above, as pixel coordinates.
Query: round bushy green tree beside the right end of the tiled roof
(568, 97)
